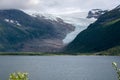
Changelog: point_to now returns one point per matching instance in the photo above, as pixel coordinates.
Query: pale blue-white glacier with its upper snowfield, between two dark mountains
(77, 19)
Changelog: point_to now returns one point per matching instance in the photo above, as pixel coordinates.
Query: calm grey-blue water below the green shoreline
(60, 67)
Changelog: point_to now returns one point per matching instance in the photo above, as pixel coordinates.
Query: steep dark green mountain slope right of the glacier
(99, 36)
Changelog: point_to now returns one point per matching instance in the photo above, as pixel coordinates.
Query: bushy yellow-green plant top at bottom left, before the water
(18, 76)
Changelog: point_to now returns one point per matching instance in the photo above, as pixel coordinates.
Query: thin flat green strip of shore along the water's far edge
(51, 54)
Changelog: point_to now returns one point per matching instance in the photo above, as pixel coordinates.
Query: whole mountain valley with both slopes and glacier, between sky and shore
(93, 32)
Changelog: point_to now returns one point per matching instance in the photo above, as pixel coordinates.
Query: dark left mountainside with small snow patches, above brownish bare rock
(18, 28)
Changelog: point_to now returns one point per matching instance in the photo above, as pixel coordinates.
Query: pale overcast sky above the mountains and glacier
(58, 6)
